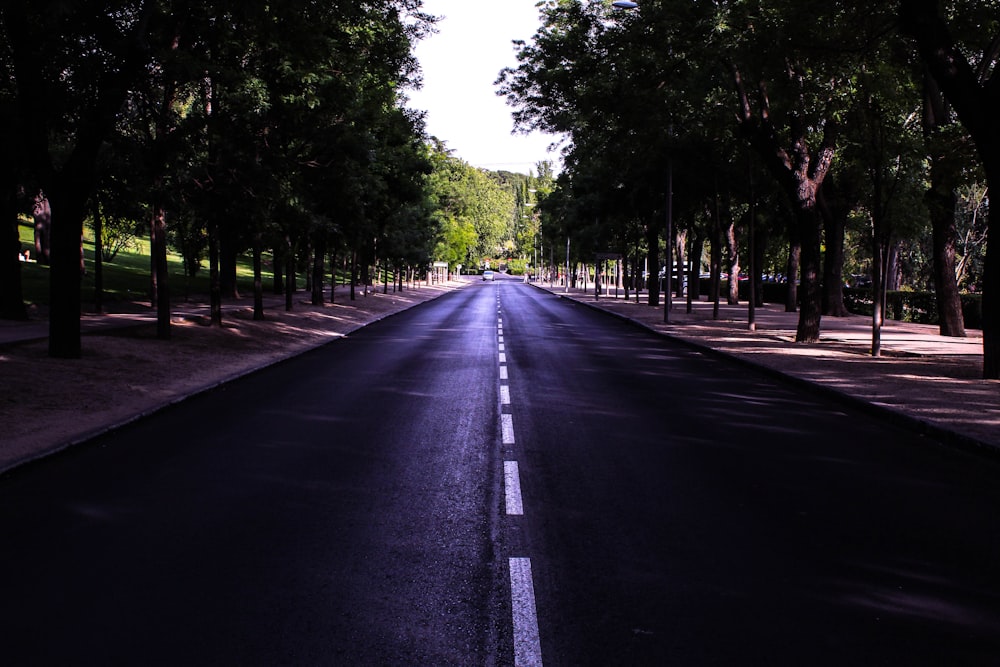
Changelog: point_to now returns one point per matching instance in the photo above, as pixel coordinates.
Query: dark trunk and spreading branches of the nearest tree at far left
(32, 34)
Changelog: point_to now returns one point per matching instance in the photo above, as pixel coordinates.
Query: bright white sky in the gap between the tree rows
(460, 63)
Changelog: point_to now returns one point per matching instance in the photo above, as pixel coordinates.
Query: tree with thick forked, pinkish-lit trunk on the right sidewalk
(802, 59)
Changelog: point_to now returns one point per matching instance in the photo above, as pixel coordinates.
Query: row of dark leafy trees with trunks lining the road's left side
(226, 126)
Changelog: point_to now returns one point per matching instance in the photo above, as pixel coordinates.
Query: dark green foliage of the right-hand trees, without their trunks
(632, 89)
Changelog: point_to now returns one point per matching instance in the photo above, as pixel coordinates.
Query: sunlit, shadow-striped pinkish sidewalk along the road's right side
(923, 380)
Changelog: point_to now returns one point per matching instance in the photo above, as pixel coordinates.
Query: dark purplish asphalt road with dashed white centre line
(502, 477)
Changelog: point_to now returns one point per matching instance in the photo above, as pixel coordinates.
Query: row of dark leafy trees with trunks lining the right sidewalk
(805, 121)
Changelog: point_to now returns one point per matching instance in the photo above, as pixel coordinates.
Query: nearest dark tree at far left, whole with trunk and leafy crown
(72, 68)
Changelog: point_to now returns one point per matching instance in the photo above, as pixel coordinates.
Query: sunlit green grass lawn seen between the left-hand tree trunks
(128, 277)
